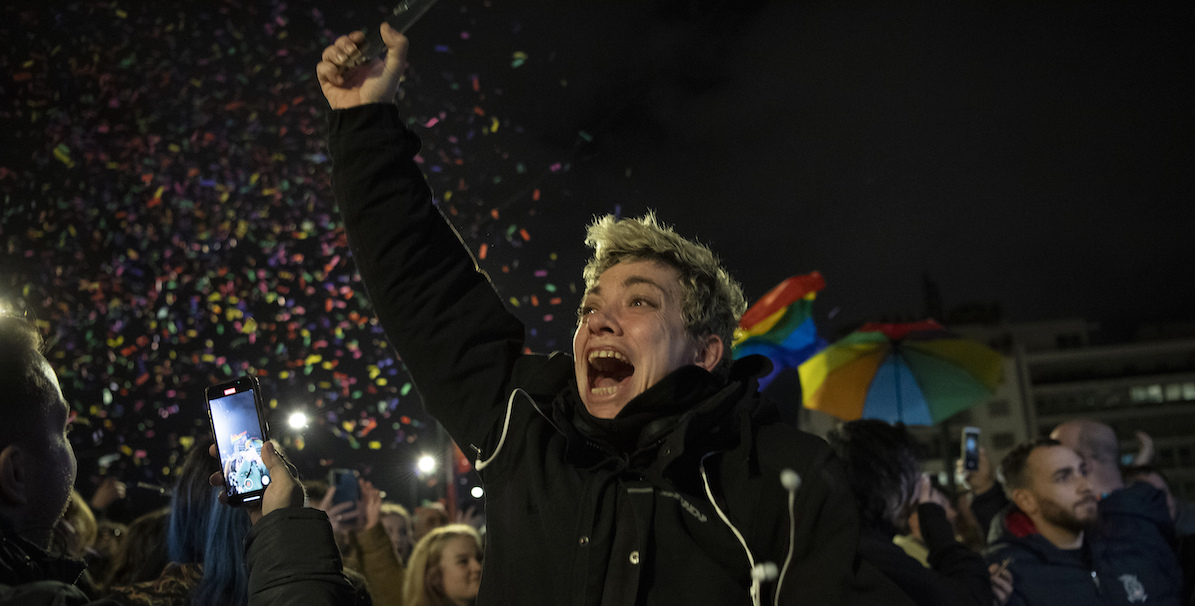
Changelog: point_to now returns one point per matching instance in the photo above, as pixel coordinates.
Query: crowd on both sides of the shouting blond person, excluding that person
(1058, 522)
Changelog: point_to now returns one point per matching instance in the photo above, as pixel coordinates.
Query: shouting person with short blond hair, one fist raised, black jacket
(644, 469)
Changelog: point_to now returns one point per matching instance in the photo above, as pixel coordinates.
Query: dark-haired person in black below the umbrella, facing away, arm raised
(884, 474)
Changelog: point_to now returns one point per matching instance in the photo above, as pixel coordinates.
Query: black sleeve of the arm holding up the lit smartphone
(293, 559)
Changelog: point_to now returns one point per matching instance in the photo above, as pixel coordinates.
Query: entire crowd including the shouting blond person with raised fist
(644, 469)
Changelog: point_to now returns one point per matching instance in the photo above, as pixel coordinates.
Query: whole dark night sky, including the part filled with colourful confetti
(168, 212)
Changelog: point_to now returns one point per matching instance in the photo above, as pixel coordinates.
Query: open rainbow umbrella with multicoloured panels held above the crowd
(917, 374)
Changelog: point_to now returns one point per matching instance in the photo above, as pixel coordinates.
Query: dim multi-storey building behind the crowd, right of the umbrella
(1053, 374)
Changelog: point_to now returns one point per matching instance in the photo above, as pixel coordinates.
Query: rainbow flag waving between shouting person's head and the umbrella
(781, 326)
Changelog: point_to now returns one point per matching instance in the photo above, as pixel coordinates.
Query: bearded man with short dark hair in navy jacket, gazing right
(1053, 549)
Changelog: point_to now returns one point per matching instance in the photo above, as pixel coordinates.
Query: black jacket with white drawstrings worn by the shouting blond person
(682, 513)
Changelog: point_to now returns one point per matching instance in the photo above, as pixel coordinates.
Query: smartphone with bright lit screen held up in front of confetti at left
(241, 431)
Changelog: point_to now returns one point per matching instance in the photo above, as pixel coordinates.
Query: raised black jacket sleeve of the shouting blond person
(438, 308)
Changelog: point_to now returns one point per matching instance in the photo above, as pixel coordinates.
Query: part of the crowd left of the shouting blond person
(58, 550)
